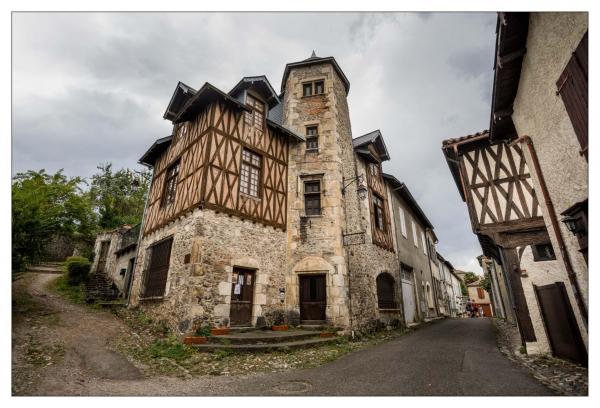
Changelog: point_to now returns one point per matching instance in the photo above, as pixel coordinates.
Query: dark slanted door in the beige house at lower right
(559, 321)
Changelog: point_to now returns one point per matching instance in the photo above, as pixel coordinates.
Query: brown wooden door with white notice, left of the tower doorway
(242, 295)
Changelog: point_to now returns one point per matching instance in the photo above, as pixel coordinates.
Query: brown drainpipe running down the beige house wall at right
(555, 226)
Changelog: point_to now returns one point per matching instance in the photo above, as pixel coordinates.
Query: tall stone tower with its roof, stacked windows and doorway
(314, 103)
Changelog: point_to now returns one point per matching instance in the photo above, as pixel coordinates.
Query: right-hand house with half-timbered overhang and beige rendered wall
(536, 154)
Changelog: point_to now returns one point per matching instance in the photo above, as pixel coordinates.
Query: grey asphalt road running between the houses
(451, 357)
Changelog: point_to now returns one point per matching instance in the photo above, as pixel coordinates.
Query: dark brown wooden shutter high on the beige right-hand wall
(572, 85)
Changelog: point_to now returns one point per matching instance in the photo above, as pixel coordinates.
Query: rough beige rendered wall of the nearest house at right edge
(541, 114)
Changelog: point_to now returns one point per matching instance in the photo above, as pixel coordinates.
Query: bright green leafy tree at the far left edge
(44, 205)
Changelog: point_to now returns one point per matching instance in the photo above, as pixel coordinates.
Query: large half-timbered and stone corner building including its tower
(262, 201)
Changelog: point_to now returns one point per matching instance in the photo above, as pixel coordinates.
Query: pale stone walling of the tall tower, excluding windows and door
(315, 242)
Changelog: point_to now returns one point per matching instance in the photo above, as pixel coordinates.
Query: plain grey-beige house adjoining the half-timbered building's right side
(411, 226)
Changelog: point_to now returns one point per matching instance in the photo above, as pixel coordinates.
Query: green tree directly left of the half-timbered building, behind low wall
(118, 197)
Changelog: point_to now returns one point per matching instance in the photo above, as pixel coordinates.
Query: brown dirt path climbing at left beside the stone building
(59, 348)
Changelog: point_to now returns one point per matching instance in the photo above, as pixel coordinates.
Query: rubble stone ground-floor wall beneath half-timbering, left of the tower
(200, 291)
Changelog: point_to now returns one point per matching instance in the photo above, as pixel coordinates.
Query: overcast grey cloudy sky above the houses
(92, 88)
